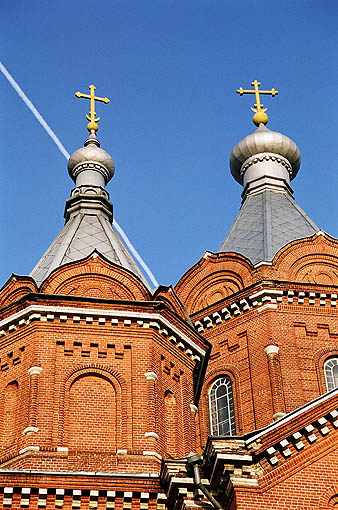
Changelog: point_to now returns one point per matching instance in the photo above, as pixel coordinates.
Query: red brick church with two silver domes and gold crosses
(220, 392)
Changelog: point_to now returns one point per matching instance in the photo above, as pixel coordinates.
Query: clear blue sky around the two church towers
(170, 68)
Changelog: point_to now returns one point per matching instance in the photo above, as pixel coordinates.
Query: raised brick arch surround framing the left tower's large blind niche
(119, 386)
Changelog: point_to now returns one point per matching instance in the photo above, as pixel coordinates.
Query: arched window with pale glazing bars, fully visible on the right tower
(221, 405)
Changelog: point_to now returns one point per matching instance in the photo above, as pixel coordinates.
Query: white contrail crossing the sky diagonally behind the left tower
(66, 154)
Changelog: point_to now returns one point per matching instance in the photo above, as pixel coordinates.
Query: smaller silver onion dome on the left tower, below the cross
(91, 160)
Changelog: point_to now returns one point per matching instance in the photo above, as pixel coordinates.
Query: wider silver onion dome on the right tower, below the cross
(264, 141)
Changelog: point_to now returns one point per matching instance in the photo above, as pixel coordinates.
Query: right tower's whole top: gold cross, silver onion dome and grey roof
(265, 162)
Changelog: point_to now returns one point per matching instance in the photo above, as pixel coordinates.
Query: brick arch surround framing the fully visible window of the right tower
(204, 401)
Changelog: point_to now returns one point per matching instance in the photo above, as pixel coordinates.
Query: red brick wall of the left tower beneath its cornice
(92, 394)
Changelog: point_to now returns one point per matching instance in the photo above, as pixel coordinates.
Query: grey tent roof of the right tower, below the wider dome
(265, 223)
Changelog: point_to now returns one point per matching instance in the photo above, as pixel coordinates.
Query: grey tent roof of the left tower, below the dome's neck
(81, 235)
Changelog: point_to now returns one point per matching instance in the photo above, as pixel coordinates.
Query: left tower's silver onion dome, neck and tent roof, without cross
(89, 216)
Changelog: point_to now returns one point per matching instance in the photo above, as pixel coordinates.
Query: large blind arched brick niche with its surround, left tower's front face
(93, 414)
